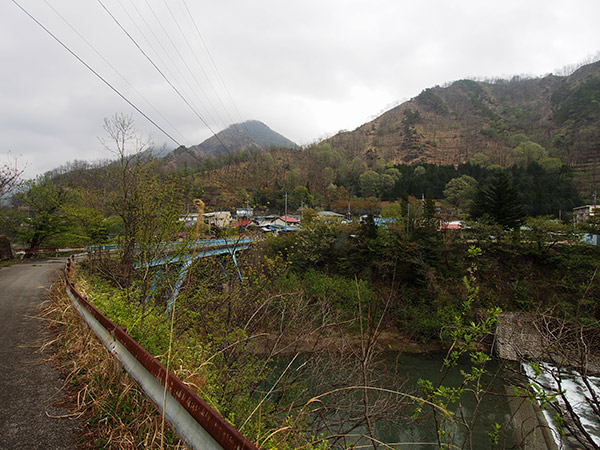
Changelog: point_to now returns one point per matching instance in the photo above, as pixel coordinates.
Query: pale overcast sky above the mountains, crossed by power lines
(307, 68)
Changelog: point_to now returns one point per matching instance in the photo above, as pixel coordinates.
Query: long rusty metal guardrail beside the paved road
(200, 426)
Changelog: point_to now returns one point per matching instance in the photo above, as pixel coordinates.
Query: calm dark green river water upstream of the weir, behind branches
(404, 432)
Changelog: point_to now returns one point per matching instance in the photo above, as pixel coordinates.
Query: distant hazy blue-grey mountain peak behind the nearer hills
(251, 134)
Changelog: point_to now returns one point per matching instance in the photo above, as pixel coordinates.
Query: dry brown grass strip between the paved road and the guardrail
(115, 411)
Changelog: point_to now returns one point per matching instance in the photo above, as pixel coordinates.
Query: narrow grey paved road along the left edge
(29, 387)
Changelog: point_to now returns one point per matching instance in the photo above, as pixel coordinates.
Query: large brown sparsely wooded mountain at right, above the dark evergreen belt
(489, 120)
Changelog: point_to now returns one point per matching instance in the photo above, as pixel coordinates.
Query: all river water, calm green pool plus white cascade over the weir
(406, 432)
